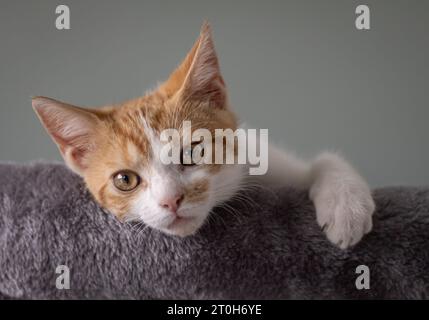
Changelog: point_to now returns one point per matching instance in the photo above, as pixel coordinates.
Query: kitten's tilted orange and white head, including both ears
(116, 149)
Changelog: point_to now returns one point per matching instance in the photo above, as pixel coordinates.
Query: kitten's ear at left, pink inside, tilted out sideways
(72, 128)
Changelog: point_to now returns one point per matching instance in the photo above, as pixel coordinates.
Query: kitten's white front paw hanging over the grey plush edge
(344, 210)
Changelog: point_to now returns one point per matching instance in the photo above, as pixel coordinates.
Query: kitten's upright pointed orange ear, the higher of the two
(198, 77)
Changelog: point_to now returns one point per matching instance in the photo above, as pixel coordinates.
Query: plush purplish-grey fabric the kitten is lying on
(271, 250)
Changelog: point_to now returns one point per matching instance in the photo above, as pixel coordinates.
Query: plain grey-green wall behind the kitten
(299, 68)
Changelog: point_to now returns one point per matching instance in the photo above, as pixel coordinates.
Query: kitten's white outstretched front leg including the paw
(343, 201)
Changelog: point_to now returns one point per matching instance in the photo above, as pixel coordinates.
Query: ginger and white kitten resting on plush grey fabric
(115, 150)
